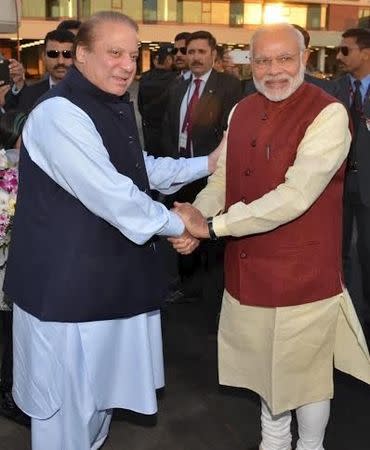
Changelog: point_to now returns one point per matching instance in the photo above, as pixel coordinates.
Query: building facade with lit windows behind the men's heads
(231, 21)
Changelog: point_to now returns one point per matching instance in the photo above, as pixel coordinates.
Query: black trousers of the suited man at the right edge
(356, 210)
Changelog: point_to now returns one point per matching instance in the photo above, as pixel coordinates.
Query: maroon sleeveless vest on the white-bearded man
(300, 261)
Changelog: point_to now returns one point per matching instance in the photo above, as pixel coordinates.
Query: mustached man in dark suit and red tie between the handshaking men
(193, 125)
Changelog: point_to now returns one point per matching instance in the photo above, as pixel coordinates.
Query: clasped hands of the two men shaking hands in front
(196, 228)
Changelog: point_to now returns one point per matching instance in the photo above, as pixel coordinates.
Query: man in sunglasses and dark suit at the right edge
(354, 92)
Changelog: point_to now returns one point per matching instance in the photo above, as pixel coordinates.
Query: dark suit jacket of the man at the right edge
(362, 143)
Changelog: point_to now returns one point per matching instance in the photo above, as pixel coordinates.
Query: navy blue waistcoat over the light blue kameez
(66, 264)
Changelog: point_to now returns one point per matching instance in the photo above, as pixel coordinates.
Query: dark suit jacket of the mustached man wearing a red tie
(220, 94)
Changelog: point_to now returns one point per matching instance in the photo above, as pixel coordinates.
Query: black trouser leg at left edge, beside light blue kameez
(7, 356)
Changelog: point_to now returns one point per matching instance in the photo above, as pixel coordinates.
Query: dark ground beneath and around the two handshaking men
(196, 414)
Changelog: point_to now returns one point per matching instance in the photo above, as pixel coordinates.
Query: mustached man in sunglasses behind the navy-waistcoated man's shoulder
(58, 58)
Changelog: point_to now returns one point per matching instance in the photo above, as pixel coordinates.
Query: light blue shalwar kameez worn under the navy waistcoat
(69, 376)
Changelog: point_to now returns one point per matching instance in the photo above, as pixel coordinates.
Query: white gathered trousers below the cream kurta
(312, 421)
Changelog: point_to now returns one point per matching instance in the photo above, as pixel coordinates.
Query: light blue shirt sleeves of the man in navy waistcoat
(63, 141)
